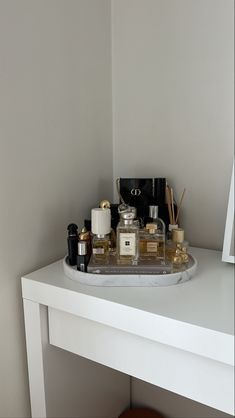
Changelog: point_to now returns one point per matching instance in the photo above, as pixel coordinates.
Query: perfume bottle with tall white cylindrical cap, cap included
(100, 227)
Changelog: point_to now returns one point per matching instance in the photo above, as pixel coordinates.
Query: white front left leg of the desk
(35, 358)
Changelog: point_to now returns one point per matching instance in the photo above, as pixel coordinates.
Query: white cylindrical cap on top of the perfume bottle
(100, 221)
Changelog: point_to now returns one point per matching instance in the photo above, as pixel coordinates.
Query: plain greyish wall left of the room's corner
(55, 151)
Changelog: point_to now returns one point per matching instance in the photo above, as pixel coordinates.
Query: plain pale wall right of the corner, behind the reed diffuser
(173, 103)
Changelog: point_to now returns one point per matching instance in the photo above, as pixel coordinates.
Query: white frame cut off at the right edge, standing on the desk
(228, 246)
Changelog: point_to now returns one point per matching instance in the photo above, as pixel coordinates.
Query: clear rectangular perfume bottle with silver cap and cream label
(127, 236)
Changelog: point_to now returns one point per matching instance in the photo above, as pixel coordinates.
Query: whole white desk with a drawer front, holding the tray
(179, 337)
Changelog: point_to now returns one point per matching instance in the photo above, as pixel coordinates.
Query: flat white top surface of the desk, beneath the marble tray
(207, 300)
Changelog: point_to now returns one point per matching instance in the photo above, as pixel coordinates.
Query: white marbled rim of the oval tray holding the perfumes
(143, 280)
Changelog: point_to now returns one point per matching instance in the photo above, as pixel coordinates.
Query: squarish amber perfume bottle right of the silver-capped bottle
(152, 242)
